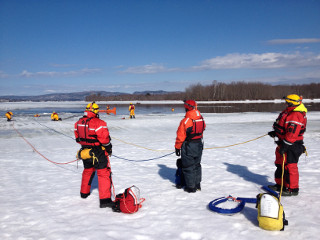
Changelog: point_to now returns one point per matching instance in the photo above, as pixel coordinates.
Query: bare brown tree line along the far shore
(218, 91)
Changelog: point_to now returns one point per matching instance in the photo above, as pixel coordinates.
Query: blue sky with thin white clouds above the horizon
(49, 46)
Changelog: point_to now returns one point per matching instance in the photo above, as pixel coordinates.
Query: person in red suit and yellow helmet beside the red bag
(93, 135)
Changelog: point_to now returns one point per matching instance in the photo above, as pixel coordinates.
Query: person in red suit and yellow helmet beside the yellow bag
(289, 129)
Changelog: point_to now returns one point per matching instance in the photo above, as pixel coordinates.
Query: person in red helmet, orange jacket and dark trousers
(189, 145)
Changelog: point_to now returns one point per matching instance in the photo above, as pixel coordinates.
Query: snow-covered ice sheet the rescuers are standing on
(41, 199)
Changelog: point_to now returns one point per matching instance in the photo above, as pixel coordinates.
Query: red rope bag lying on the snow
(129, 201)
